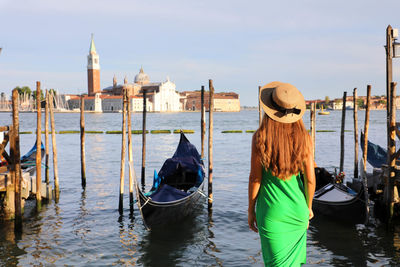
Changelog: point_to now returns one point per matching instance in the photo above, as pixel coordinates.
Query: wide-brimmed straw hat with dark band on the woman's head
(282, 102)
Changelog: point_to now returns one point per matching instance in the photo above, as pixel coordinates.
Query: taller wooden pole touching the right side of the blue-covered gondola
(210, 143)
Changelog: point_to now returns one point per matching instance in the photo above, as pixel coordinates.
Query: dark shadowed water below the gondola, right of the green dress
(360, 245)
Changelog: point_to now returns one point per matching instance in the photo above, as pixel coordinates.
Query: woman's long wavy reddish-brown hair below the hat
(282, 147)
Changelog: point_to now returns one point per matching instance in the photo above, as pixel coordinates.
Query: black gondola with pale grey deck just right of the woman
(341, 203)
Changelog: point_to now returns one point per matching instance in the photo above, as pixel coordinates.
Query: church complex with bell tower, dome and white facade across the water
(160, 96)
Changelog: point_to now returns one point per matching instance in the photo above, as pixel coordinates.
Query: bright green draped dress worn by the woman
(282, 217)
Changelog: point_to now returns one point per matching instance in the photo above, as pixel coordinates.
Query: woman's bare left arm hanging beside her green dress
(254, 186)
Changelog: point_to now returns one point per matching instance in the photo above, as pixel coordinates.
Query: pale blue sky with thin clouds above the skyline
(322, 47)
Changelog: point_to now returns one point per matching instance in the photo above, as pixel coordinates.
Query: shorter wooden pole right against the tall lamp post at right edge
(392, 153)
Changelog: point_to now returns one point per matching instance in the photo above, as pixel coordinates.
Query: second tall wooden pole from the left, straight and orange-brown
(38, 148)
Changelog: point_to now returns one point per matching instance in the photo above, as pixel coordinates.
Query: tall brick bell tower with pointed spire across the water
(93, 70)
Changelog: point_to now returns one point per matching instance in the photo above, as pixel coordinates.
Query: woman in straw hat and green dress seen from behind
(280, 198)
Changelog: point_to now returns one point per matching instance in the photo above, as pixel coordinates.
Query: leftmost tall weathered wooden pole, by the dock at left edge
(16, 164)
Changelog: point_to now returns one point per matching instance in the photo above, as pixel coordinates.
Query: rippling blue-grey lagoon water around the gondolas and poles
(84, 228)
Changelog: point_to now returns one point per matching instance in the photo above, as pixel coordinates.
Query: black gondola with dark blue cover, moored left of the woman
(177, 188)
